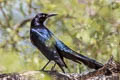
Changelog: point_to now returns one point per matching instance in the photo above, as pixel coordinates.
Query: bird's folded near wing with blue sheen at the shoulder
(48, 41)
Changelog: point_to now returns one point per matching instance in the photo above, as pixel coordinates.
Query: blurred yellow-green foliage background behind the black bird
(90, 27)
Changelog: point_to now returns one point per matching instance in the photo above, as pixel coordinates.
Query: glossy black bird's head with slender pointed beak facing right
(41, 17)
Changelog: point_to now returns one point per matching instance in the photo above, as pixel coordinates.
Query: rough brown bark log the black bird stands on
(110, 71)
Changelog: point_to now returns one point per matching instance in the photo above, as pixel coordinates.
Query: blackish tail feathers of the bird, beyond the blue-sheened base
(91, 63)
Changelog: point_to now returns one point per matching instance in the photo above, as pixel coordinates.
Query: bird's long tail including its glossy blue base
(76, 57)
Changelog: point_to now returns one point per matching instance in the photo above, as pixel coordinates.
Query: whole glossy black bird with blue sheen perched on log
(53, 48)
